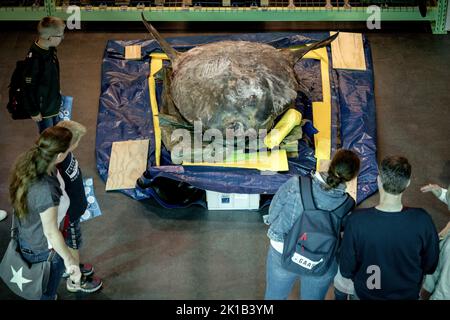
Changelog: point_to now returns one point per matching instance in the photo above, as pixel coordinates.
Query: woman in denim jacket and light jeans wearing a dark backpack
(305, 217)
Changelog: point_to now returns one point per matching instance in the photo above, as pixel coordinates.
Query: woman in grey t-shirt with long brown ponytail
(40, 204)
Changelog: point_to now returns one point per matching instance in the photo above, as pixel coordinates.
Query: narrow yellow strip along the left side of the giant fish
(155, 66)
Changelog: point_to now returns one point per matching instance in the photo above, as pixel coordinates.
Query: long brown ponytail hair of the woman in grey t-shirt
(33, 165)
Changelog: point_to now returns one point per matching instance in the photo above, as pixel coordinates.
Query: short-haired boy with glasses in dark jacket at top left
(41, 81)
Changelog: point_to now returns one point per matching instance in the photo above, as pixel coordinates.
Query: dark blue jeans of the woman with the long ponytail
(56, 270)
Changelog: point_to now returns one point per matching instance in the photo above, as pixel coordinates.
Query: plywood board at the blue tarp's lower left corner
(127, 163)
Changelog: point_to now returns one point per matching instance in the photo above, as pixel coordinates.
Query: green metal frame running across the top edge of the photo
(436, 15)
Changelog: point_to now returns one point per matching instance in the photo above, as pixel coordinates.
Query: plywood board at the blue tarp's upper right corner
(348, 51)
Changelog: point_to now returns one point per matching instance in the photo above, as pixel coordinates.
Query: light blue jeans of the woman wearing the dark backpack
(279, 281)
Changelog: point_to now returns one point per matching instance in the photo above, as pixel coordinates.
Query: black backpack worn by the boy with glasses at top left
(15, 104)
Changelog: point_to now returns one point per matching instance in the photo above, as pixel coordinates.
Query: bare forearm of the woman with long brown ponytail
(54, 236)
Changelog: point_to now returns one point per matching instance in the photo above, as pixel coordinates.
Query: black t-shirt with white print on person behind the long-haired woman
(73, 179)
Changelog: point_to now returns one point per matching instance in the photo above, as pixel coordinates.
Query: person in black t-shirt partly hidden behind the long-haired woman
(73, 180)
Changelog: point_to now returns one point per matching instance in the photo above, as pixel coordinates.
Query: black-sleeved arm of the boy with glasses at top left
(31, 88)
